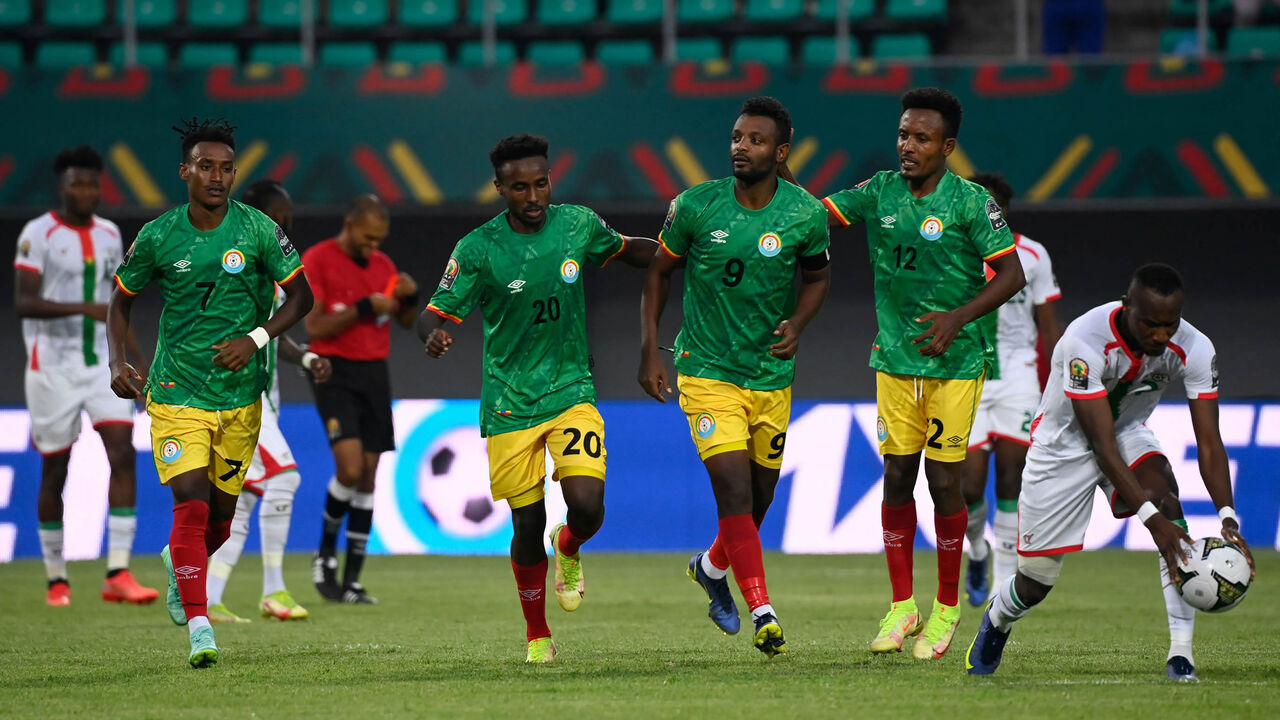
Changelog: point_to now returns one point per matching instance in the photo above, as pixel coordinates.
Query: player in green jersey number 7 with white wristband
(217, 262)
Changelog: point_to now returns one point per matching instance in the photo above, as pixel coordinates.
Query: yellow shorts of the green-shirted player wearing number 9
(724, 417)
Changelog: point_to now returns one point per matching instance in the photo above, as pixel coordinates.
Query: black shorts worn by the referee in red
(356, 403)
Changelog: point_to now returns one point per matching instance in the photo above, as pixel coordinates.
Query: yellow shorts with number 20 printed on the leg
(518, 461)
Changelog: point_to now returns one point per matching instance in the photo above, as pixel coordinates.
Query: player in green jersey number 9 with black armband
(742, 241)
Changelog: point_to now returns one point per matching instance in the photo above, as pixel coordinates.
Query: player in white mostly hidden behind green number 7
(273, 477)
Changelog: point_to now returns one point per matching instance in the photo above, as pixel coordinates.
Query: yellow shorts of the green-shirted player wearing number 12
(930, 414)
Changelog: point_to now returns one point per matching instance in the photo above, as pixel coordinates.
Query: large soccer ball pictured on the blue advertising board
(454, 486)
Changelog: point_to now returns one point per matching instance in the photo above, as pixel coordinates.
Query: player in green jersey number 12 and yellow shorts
(929, 234)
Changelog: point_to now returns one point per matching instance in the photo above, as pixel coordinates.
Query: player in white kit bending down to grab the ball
(1109, 372)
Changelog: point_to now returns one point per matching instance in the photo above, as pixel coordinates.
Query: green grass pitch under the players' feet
(449, 641)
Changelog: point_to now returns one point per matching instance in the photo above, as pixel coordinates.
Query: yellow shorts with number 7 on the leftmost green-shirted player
(186, 439)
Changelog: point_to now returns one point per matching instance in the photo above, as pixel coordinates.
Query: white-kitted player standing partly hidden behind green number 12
(1009, 400)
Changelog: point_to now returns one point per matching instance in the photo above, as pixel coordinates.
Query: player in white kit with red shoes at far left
(63, 279)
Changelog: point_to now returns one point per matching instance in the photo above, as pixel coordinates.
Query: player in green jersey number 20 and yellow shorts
(524, 271)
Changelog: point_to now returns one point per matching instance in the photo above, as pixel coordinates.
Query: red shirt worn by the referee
(340, 282)
